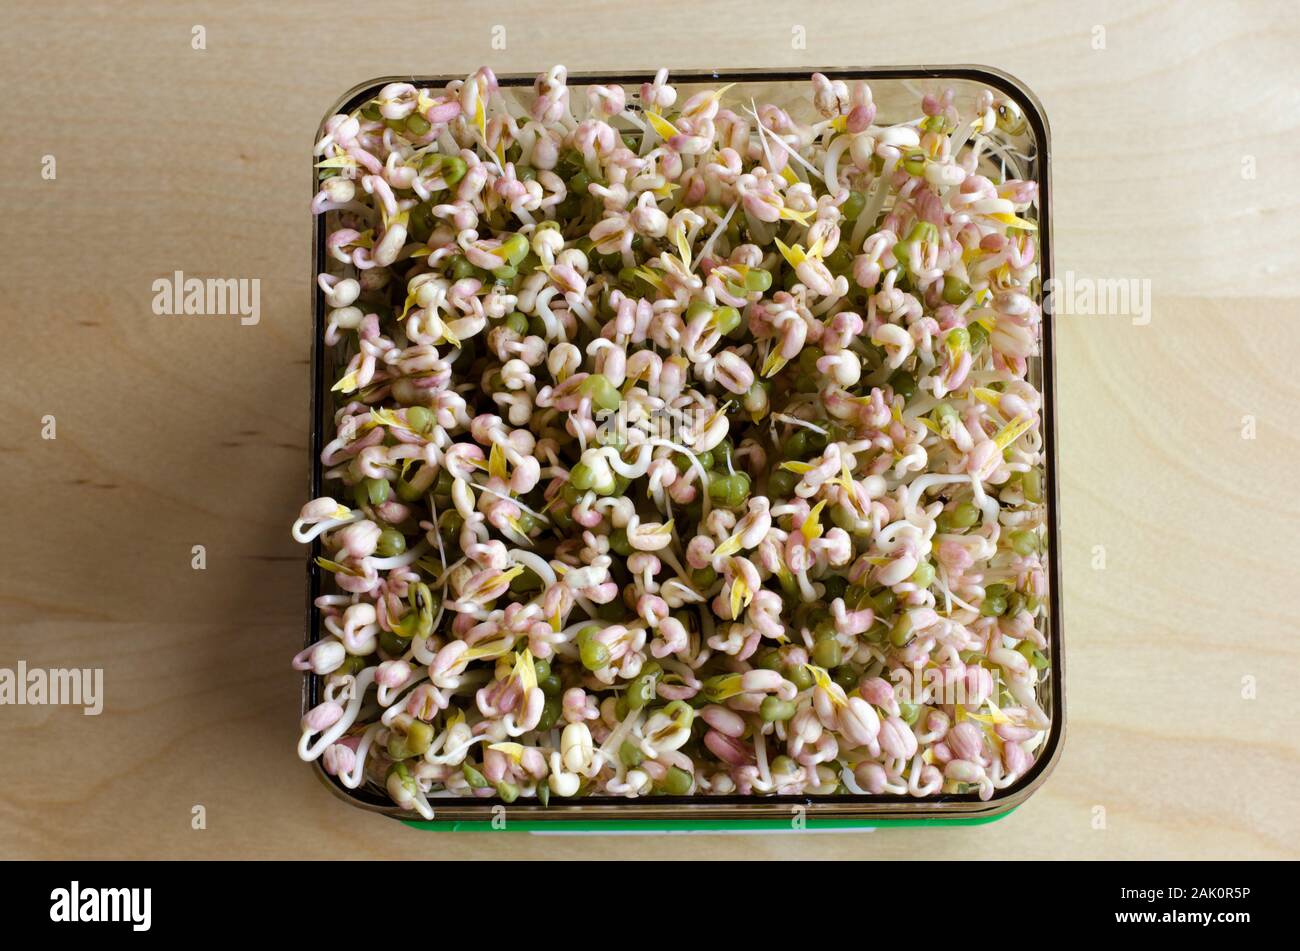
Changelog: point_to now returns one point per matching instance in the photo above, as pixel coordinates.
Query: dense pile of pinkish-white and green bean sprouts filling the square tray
(679, 448)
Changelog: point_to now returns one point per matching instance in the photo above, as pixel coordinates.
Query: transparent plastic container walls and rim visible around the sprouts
(1021, 150)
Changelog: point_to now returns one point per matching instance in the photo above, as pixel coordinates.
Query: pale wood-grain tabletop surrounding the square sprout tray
(183, 432)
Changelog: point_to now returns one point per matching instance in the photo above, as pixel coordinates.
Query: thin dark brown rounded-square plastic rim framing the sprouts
(723, 813)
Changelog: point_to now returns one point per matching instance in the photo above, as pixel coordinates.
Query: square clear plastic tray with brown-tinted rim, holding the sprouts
(896, 92)
